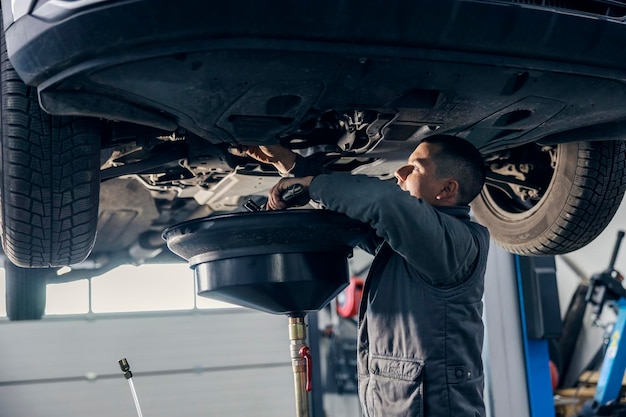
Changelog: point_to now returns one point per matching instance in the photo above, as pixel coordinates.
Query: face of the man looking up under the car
(418, 178)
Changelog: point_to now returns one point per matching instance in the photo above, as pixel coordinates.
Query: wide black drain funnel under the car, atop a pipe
(281, 262)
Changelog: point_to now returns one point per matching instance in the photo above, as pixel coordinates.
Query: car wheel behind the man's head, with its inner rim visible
(550, 200)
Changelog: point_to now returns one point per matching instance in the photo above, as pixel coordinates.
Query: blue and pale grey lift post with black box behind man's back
(521, 313)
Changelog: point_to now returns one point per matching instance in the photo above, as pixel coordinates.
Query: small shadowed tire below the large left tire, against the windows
(25, 291)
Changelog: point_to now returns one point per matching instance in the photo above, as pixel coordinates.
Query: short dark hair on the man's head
(459, 159)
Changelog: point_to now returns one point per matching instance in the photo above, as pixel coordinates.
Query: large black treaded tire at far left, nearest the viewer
(50, 179)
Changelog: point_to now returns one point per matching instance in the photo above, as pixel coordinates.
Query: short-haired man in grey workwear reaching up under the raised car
(420, 331)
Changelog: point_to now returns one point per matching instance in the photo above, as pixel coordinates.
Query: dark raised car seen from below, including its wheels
(112, 132)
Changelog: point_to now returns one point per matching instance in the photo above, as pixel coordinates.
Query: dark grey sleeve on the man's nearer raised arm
(440, 246)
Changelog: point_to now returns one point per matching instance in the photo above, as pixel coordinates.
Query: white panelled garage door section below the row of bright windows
(232, 362)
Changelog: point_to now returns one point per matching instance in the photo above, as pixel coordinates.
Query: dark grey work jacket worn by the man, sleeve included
(420, 331)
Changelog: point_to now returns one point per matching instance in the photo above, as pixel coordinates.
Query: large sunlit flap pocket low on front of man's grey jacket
(395, 387)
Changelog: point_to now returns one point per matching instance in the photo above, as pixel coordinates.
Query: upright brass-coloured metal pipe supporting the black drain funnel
(300, 362)
